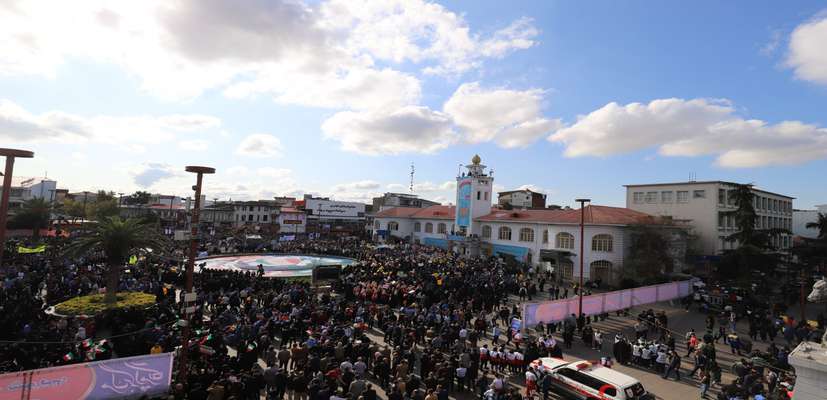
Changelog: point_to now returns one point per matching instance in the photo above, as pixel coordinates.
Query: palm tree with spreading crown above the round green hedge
(118, 239)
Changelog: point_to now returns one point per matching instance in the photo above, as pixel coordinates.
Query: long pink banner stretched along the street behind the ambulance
(557, 310)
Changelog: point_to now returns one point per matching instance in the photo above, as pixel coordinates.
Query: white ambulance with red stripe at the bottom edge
(589, 380)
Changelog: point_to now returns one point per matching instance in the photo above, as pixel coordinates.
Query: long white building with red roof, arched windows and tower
(532, 236)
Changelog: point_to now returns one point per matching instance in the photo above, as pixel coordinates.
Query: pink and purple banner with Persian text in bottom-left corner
(120, 378)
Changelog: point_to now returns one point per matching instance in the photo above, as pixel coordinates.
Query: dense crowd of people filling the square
(405, 322)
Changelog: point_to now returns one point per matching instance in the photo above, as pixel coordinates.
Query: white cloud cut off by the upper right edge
(807, 53)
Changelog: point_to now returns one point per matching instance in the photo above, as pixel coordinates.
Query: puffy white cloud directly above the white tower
(512, 118)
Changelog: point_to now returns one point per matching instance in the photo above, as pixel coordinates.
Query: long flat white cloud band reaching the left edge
(20, 125)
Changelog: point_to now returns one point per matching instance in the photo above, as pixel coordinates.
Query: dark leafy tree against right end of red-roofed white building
(649, 255)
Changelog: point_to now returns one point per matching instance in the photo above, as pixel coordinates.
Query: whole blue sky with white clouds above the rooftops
(340, 97)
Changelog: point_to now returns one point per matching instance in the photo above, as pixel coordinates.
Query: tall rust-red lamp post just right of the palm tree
(188, 294)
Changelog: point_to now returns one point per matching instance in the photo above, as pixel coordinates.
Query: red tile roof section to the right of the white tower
(600, 215)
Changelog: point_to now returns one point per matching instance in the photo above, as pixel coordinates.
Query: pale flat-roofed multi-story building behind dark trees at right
(707, 206)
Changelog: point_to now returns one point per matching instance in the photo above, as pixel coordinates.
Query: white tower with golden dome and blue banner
(474, 196)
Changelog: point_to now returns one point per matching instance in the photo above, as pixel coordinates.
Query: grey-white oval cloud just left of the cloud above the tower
(404, 130)
